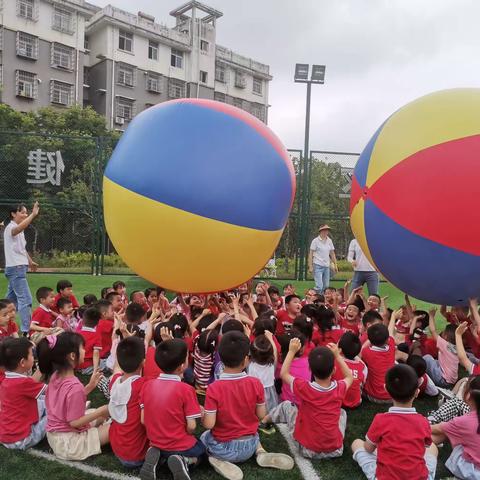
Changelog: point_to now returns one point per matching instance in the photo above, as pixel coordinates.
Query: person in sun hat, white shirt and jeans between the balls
(321, 257)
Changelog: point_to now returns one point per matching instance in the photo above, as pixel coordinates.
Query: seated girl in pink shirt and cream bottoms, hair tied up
(70, 432)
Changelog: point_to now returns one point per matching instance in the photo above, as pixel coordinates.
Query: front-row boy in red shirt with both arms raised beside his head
(321, 401)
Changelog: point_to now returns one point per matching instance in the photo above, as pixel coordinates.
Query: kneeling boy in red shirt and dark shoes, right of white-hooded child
(169, 412)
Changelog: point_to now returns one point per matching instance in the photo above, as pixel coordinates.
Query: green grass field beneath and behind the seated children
(23, 466)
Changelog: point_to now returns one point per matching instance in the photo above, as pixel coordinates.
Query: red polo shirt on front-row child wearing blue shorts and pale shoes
(234, 398)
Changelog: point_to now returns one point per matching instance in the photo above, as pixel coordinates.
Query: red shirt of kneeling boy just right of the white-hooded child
(168, 403)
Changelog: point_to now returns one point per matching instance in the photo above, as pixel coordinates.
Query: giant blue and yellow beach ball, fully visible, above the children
(197, 194)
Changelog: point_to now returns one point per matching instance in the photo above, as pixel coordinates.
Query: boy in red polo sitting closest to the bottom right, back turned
(400, 436)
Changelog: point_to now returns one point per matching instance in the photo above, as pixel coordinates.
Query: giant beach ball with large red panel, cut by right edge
(415, 197)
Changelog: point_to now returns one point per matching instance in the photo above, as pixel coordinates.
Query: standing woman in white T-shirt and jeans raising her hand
(17, 261)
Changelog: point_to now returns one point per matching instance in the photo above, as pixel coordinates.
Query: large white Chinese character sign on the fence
(45, 167)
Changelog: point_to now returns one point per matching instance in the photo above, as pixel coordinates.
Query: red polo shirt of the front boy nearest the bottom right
(401, 436)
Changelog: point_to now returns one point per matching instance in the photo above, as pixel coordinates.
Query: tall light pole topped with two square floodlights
(317, 77)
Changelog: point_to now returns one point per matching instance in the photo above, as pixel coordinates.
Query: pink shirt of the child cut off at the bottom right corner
(463, 431)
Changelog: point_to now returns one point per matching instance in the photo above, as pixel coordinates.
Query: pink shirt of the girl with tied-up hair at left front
(65, 401)
